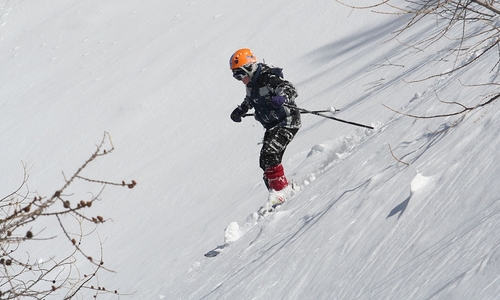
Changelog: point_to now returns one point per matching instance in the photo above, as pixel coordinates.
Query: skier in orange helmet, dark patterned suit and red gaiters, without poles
(273, 100)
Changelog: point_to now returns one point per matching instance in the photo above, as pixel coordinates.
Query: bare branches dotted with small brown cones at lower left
(21, 277)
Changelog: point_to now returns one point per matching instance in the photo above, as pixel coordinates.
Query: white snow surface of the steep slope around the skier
(420, 222)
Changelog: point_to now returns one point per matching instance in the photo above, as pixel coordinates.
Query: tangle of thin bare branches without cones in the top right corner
(478, 33)
